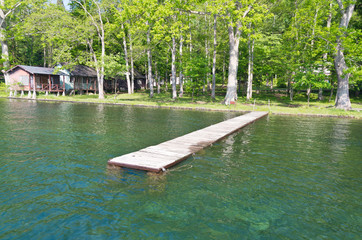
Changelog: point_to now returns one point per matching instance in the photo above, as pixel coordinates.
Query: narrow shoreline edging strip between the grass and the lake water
(185, 108)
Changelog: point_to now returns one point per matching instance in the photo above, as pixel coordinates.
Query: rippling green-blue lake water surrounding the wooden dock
(279, 178)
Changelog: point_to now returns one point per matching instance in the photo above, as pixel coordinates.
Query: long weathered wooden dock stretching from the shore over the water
(165, 155)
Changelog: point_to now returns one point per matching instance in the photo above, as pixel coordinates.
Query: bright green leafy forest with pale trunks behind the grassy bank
(194, 45)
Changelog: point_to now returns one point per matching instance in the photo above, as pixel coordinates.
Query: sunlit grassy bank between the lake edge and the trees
(276, 103)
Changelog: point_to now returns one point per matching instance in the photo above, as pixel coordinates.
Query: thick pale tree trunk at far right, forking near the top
(342, 97)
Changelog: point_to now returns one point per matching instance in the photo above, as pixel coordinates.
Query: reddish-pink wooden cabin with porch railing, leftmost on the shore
(29, 78)
